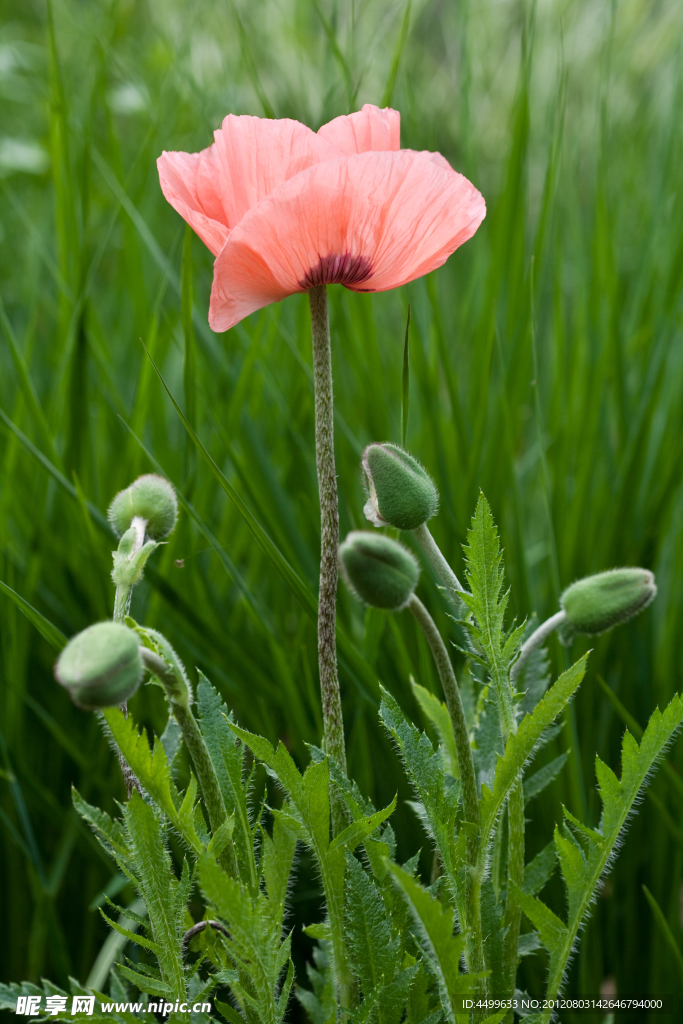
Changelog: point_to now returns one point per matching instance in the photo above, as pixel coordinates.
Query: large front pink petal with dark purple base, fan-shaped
(372, 222)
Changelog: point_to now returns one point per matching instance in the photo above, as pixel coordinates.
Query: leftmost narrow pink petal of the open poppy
(194, 197)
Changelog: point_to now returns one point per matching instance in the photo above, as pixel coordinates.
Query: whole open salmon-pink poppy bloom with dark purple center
(284, 209)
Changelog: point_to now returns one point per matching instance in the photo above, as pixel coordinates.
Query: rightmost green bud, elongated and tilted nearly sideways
(600, 603)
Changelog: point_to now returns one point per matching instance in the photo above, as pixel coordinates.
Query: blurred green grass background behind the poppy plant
(546, 369)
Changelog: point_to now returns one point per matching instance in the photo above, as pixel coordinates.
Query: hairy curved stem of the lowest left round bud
(180, 700)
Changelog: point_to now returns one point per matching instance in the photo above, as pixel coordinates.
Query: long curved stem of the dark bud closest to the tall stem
(467, 780)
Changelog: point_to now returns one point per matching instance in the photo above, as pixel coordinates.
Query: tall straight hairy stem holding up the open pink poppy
(327, 484)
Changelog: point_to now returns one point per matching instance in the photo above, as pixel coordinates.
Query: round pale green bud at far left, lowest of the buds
(102, 666)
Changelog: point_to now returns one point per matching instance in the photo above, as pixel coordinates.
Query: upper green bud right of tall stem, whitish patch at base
(402, 493)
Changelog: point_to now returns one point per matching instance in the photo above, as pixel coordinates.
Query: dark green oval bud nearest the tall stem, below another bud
(379, 571)
